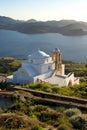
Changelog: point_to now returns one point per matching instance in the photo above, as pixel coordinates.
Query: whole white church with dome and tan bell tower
(42, 68)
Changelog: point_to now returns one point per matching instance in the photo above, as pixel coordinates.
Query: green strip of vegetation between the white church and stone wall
(75, 91)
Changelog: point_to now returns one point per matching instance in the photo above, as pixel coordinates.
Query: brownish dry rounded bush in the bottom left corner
(11, 121)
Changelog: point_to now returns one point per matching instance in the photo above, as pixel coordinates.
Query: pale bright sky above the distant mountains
(44, 10)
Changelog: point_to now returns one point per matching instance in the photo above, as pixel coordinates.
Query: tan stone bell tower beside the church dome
(57, 58)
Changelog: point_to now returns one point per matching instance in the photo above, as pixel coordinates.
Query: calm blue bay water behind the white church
(19, 45)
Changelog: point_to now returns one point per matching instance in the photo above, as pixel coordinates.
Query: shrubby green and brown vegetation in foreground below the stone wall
(28, 115)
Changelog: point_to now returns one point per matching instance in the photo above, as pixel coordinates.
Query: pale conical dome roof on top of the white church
(38, 55)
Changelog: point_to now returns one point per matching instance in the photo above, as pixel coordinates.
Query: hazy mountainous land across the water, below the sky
(32, 26)
